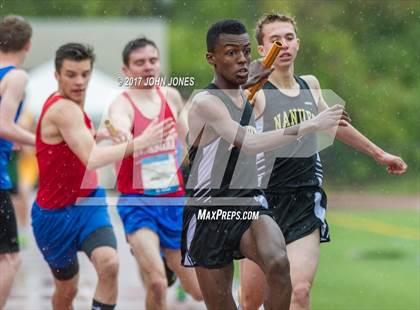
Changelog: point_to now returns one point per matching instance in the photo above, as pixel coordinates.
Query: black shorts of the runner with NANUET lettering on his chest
(300, 212)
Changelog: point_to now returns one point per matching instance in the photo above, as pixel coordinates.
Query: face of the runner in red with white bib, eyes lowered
(143, 63)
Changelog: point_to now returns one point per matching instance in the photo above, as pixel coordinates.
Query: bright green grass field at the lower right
(360, 269)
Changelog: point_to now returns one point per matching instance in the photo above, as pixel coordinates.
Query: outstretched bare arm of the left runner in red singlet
(81, 142)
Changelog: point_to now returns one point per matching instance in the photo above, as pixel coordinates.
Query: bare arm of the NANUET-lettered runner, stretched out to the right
(351, 136)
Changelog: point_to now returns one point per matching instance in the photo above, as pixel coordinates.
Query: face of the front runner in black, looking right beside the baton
(231, 57)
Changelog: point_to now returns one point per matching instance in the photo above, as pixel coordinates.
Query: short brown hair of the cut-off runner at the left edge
(15, 32)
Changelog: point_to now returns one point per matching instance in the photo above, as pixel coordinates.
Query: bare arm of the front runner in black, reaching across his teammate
(212, 111)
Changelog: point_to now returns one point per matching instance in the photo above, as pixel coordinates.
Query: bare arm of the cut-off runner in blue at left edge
(12, 94)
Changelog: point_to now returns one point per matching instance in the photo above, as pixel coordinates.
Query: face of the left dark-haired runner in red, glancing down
(73, 78)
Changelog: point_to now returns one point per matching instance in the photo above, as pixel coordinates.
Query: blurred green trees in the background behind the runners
(368, 52)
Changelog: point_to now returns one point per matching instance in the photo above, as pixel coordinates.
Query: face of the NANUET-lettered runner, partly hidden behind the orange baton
(285, 33)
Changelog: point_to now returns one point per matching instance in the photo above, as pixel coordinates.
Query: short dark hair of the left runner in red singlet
(73, 51)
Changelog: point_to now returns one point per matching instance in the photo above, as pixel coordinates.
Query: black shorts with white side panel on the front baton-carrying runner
(215, 243)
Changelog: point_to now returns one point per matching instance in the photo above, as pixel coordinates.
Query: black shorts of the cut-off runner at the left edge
(8, 228)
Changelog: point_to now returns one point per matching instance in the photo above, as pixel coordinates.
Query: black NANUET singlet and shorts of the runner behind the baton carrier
(293, 187)
